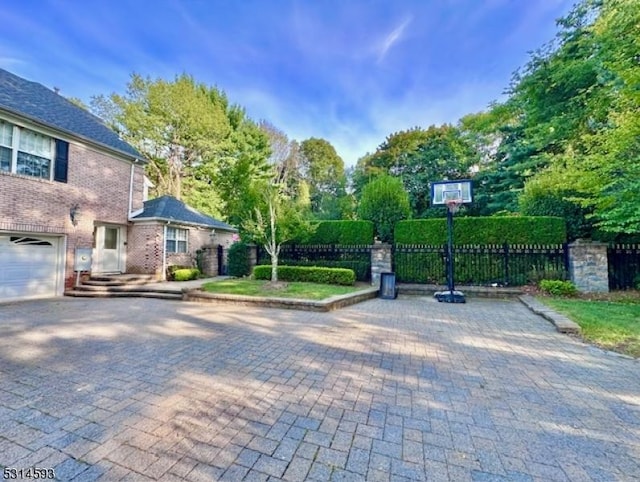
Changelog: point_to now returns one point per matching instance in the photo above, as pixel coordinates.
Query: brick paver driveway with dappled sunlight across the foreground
(386, 390)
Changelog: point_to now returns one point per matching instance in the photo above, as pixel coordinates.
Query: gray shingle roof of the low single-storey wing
(168, 208)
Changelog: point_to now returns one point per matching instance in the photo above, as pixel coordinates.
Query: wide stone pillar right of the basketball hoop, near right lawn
(588, 266)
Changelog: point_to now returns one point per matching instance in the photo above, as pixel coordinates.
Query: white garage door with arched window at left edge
(31, 266)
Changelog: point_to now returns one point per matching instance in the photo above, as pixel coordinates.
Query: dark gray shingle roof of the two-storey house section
(38, 103)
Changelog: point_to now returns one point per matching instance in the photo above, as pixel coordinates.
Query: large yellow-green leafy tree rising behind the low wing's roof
(200, 148)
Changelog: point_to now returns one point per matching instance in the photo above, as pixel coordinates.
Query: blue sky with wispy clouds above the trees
(350, 71)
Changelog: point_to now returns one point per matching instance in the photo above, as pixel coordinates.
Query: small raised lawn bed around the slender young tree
(307, 291)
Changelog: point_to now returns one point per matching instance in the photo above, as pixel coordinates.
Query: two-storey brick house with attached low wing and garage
(69, 183)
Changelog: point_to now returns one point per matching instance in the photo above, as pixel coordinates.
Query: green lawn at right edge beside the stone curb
(613, 325)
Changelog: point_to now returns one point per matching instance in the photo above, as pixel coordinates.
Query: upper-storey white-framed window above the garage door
(23, 151)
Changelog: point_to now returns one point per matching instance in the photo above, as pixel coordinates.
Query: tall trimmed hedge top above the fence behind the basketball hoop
(484, 230)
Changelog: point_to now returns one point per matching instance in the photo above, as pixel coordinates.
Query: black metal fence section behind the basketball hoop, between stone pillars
(507, 265)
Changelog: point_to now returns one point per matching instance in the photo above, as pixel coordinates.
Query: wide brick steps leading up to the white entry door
(124, 285)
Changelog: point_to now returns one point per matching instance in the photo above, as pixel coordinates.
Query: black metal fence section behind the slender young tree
(357, 257)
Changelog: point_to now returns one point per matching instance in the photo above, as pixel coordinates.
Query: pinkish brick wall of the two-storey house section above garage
(98, 184)
